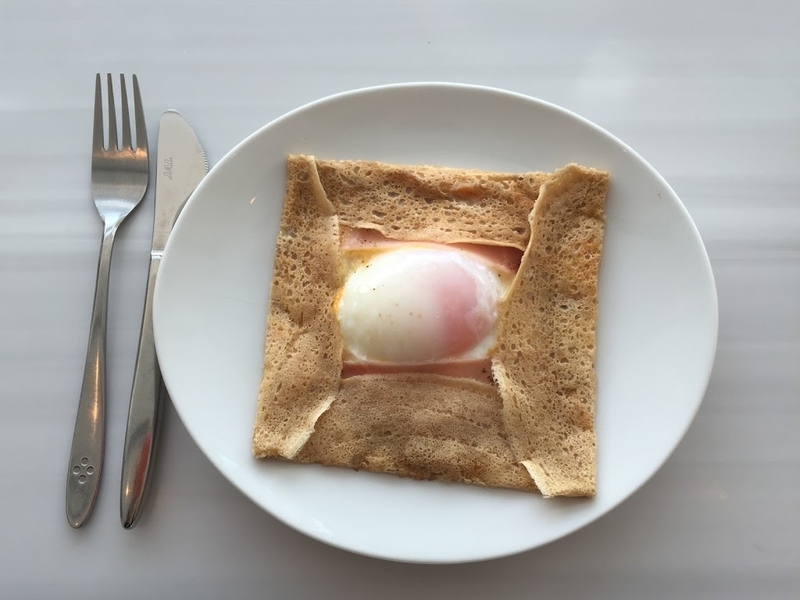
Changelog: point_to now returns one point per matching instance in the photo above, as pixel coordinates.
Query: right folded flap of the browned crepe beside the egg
(544, 365)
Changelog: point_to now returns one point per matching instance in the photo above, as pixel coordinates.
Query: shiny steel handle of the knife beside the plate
(143, 415)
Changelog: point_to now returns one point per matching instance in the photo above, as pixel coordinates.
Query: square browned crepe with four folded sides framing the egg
(533, 428)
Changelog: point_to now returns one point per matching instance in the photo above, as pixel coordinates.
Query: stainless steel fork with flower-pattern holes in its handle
(119, 181)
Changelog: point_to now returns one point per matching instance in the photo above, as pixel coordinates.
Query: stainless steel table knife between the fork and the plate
(182, 165)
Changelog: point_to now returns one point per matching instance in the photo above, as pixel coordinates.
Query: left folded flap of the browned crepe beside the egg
(303, 352)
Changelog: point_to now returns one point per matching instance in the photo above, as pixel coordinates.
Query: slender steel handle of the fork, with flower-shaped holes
(86, 456)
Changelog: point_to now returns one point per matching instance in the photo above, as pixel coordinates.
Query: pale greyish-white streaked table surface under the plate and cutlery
(709, 93)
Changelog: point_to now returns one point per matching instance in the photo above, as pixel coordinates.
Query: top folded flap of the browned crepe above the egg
(432, 204)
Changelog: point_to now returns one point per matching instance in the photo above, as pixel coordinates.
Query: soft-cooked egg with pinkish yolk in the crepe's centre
(420, 303)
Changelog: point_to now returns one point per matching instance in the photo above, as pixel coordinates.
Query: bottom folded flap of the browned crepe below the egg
(418, 425)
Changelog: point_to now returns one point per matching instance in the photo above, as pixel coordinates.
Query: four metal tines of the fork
(98, 144)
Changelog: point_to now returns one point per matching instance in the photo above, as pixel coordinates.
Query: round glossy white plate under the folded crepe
(657, 326)
